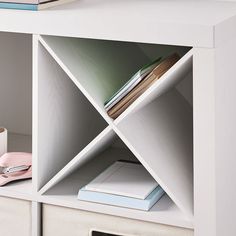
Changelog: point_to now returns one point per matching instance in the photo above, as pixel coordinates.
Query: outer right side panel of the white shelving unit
(225, 137)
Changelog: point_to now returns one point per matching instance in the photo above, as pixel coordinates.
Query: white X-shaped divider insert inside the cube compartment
(157, 128)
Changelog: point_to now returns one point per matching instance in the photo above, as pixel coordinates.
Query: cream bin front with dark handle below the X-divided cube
(62, 221)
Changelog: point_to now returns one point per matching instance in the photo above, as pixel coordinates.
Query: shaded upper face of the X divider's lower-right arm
(160, 135)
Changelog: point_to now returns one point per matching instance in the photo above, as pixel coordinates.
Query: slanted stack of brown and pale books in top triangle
(138, 84)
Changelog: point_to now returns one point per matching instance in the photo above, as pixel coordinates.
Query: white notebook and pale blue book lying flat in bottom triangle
(123, 184)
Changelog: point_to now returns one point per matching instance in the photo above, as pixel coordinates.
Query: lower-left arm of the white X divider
(99, 144)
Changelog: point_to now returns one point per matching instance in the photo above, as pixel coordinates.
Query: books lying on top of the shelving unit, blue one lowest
(32, 5)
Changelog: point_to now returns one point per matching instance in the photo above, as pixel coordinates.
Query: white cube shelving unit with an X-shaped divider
(59, 66)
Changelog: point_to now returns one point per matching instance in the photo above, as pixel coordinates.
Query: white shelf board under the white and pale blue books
(164, 212)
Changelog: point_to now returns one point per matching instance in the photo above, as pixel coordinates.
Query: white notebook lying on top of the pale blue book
(124, 179)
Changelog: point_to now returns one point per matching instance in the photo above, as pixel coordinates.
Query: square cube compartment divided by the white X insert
(165, 111)
